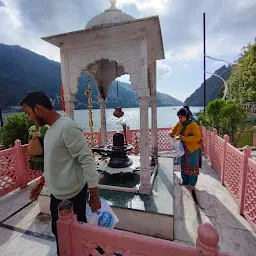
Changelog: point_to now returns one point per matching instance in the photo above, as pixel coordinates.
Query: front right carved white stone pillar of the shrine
(145, 173)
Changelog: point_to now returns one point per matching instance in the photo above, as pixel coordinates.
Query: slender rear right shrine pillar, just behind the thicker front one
(154, 138)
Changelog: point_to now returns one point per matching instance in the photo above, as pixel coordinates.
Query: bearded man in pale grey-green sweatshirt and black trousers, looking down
(69, 167)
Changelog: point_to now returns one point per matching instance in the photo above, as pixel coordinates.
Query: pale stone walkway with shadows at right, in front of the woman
(211, 203)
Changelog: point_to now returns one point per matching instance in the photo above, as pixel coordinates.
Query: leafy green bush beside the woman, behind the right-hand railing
(228, 117)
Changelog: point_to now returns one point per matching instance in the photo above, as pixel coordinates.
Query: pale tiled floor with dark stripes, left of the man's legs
(23, 231)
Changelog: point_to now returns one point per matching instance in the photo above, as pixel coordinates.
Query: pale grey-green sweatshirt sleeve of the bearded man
(76, 144)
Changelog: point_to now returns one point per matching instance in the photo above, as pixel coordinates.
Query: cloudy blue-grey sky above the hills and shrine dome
(230, 24)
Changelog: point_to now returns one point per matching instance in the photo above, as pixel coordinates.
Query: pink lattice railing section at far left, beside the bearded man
(14, 169)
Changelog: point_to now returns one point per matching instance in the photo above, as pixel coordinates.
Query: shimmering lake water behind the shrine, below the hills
(166, 117)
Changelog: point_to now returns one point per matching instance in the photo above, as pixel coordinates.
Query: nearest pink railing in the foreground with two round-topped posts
(84, 239)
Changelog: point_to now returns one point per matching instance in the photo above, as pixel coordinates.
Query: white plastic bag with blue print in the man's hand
(104, 217)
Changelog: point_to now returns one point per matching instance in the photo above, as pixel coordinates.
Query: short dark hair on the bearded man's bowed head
(37, 98)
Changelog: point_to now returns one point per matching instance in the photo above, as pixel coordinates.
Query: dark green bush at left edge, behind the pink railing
(16, 127)
